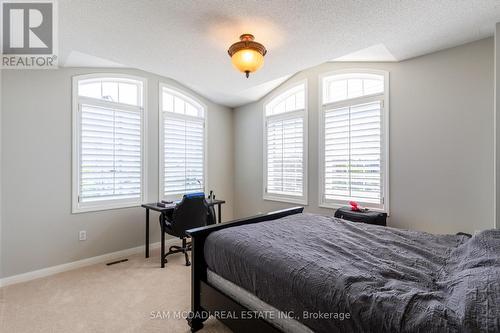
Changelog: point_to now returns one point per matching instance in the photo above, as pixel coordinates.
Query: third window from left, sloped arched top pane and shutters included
(285, 156)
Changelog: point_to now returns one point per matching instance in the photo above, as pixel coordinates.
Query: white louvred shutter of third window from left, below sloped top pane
(285, 151)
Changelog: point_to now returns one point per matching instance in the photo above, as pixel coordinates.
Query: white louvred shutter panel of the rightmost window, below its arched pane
(353, 153)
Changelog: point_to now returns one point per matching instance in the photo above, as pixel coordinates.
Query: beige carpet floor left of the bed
(100, 298)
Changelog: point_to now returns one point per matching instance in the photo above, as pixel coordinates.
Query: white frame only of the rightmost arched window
(384, 97)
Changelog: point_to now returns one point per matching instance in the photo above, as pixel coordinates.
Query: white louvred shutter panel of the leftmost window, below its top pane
(110, 156)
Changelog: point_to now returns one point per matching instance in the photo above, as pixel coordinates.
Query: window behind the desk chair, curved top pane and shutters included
(182, 144)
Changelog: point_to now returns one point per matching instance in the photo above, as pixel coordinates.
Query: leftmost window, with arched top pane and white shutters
(108, 159)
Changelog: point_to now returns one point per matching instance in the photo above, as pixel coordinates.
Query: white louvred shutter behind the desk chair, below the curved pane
(183, 154)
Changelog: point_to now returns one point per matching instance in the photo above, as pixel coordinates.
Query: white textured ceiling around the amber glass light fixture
(187, 40)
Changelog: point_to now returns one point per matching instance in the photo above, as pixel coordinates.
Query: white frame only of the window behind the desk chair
(161, 159)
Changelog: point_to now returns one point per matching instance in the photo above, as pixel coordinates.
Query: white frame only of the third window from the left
(302, 200)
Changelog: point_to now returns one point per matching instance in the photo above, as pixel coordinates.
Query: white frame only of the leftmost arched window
(76, 206)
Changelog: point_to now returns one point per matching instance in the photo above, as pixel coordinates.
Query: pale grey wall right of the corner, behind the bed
(441, 141)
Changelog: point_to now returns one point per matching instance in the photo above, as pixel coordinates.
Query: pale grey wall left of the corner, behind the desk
(39, 230)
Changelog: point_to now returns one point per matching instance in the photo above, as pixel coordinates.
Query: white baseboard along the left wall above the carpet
(80, 263)
